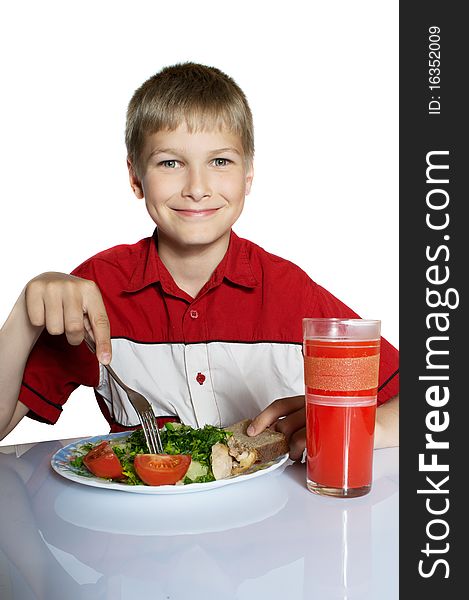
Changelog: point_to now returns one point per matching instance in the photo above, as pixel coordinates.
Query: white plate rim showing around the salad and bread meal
(61, 464)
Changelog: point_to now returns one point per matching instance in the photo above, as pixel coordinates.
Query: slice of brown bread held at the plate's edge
(268, 445)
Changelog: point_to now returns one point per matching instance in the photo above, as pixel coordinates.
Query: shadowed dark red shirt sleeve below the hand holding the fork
(53, 371)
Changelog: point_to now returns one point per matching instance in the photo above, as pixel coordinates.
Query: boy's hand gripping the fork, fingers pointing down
(67, 304)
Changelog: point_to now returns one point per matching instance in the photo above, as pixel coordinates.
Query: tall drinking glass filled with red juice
(341, 380)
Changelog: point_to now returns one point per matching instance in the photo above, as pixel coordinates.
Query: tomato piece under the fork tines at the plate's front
(161, 469)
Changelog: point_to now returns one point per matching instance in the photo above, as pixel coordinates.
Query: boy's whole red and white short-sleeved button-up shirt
(217, 358)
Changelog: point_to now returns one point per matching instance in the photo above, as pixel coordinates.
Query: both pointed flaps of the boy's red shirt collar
(149, 269)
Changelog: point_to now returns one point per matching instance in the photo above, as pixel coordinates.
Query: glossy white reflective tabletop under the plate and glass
(268, 538)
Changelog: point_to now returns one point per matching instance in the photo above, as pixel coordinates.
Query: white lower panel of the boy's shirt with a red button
(238, 379)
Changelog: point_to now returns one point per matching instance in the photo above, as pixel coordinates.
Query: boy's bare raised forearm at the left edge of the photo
(17, 338)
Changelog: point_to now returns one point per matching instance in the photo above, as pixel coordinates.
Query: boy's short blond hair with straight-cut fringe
(199, 96)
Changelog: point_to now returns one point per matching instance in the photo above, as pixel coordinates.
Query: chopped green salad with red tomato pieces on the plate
(187, 457)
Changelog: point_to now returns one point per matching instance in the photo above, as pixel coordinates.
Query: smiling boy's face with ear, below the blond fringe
(194, 184)
